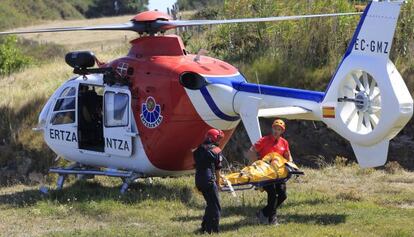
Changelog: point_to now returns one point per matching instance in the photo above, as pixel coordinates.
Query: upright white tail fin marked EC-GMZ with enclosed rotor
(371, 101)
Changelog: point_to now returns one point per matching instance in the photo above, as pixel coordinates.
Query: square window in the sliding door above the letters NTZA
(116, 109)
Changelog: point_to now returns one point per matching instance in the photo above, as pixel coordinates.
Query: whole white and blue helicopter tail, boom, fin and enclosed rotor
(367, 101)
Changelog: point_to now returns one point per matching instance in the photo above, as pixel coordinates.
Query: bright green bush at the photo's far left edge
(11, 57)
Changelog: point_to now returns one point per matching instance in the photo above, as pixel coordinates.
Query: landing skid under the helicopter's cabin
(127, 177)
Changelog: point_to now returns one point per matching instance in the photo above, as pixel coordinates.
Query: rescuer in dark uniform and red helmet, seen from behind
(208, 159)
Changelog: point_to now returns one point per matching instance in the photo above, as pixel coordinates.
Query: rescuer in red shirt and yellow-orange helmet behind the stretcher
(276, 193)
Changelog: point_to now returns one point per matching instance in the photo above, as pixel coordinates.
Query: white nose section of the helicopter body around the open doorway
(126, 151)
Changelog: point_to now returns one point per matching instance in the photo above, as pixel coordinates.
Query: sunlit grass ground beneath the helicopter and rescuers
(334, 201)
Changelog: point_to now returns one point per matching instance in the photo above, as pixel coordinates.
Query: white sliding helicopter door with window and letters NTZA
(117, 121)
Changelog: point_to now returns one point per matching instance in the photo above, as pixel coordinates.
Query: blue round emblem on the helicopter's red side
(151, 113)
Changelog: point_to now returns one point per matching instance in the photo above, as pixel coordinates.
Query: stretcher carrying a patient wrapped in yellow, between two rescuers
(273, 168)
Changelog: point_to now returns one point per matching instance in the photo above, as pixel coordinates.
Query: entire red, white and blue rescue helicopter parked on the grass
(141, 115)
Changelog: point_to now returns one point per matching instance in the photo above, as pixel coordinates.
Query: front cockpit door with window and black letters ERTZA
(62, 129)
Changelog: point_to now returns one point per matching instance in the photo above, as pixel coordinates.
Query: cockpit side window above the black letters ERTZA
(63, 115)
